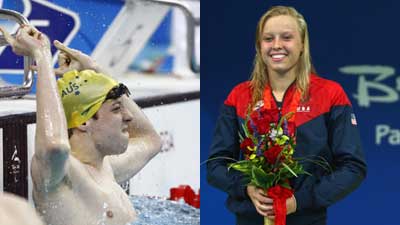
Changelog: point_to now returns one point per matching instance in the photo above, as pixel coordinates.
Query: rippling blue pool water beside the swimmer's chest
(158, 211)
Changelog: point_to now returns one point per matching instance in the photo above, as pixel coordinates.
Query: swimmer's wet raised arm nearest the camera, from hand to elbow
(51, 141)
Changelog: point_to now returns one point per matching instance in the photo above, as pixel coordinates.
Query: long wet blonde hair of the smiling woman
(259, 76)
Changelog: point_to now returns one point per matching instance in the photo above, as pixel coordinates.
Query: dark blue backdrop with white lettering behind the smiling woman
(353, 42)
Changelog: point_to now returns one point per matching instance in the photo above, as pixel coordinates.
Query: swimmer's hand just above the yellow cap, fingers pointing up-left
(72, 59)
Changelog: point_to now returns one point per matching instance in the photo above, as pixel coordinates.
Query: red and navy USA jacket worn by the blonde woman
(326, 128)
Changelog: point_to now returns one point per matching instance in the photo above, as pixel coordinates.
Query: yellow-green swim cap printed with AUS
(82, 94)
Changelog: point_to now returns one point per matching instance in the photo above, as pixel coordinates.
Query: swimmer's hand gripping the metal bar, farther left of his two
(28, 41)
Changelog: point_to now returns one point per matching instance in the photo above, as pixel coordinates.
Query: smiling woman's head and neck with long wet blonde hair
(281, 30)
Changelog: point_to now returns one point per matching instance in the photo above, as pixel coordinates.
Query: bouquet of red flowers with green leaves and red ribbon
(268, 145)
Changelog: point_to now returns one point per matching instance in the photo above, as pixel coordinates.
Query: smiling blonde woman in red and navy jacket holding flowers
(284, 81)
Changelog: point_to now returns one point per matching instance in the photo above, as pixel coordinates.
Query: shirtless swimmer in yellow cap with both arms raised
(85, 122)
